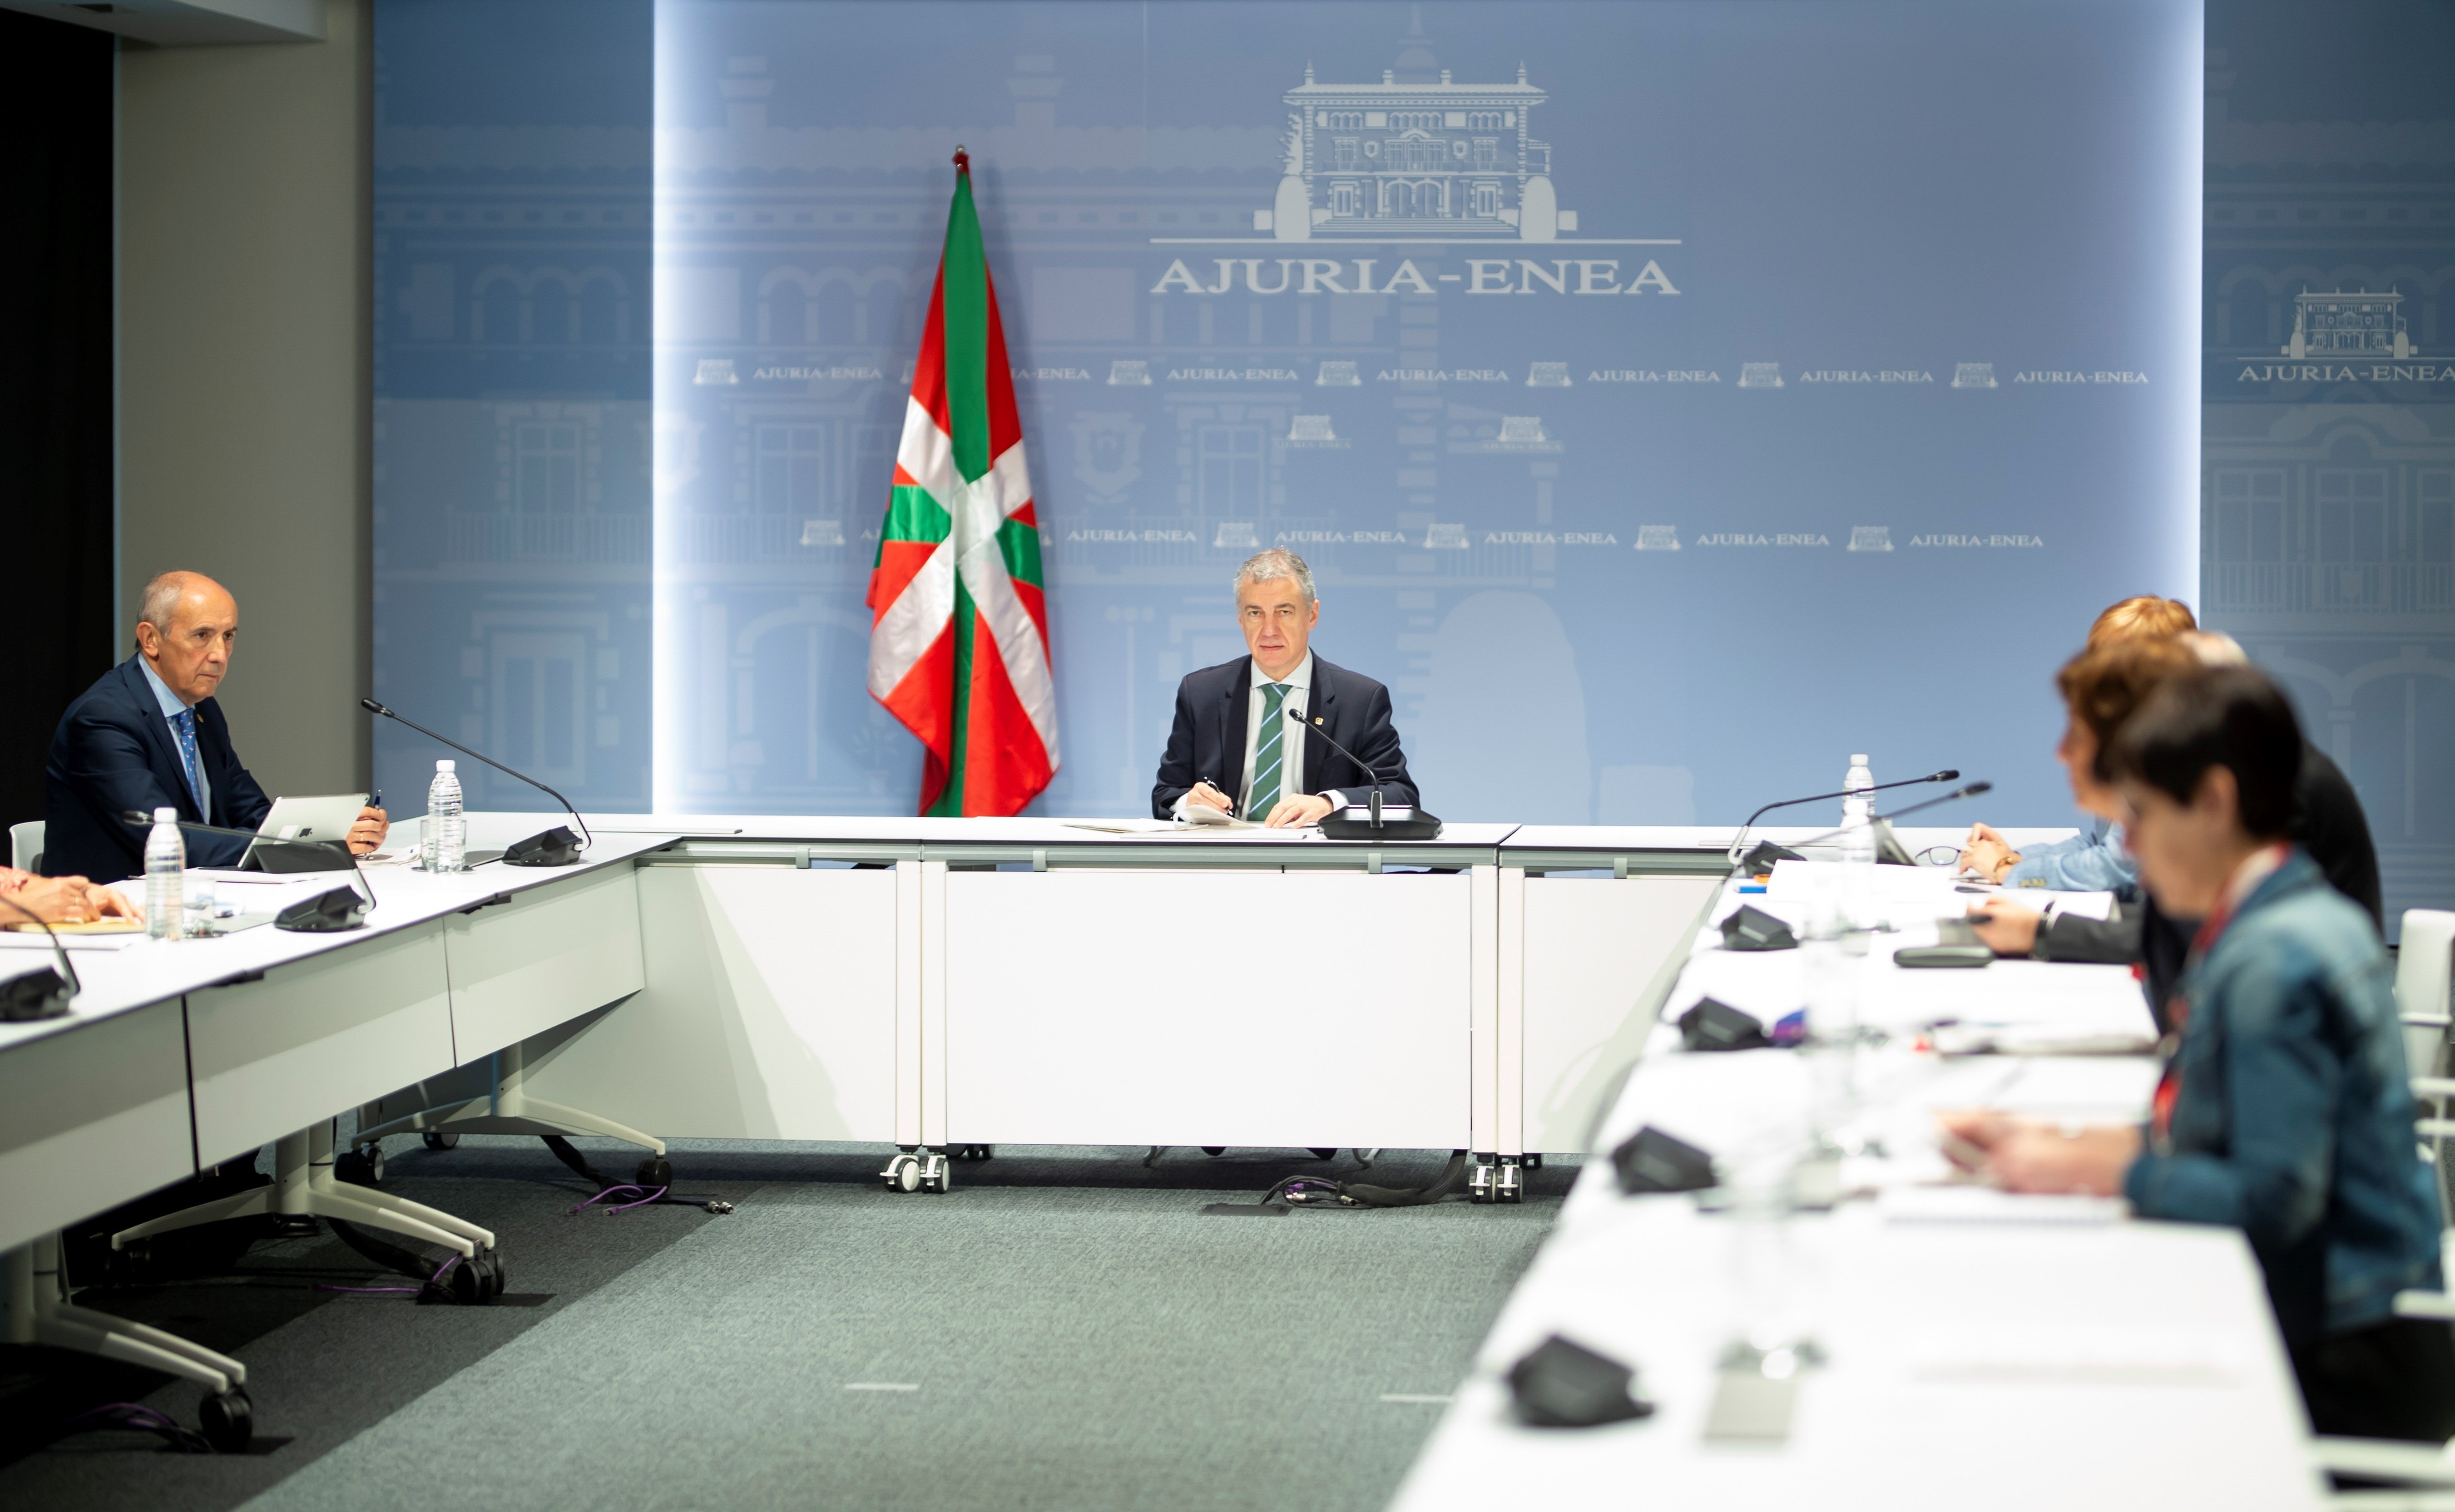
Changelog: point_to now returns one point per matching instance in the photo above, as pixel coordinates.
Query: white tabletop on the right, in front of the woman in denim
(1982, 1351)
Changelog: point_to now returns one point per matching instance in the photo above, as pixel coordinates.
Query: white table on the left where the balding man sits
(188, 1054)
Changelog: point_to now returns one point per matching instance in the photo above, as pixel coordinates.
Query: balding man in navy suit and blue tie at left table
(149, 735)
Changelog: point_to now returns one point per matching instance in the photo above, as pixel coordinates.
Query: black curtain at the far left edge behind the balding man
(55, 384)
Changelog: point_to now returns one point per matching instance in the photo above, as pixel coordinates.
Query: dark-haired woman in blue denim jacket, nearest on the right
(2284, 1108)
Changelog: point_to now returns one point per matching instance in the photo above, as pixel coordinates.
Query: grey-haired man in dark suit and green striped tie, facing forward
(1236, 747)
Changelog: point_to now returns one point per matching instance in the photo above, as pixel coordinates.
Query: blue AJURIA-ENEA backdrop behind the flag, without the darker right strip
(1671, 399)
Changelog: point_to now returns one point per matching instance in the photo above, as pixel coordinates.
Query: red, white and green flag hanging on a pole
(959, 637)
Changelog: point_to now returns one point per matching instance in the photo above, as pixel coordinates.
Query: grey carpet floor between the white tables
(1062, 1332)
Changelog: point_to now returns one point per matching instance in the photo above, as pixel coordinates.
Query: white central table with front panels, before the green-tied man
(941, 983)
